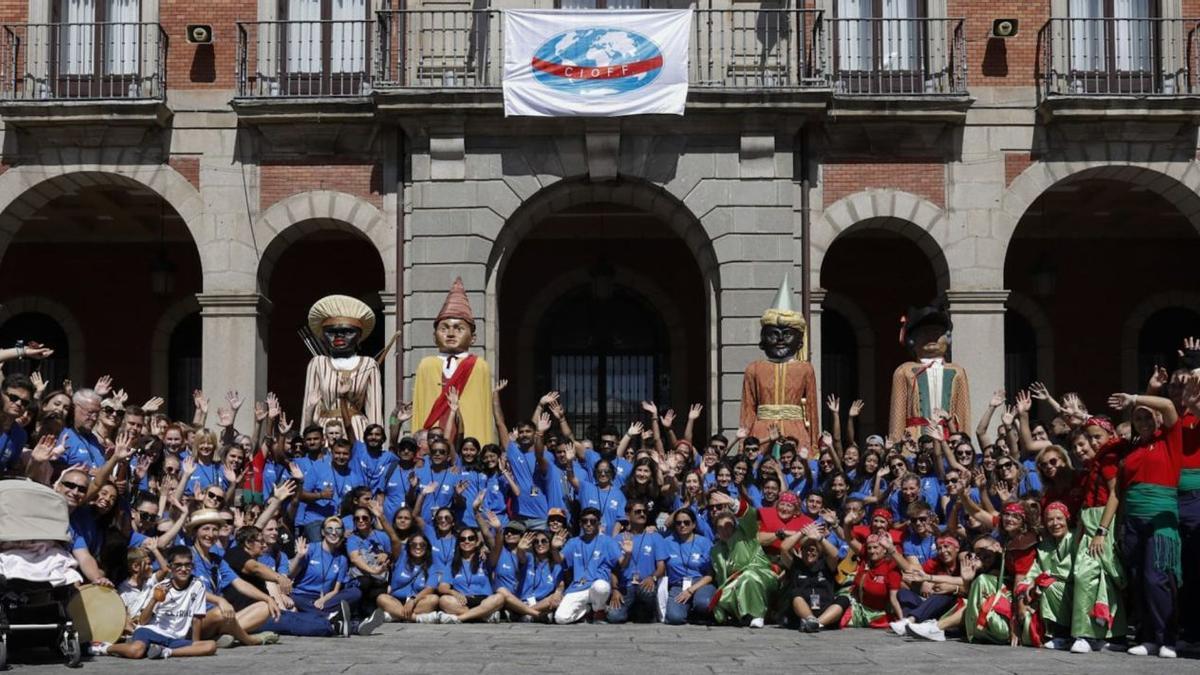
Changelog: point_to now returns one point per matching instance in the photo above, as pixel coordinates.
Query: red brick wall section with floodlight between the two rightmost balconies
(1001, 63)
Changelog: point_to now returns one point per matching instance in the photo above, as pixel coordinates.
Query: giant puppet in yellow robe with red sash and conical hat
(454, 331)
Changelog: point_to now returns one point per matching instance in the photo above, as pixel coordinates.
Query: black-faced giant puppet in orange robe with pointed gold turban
(782, 390)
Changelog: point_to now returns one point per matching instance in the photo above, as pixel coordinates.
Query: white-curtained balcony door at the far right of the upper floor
(1114, 46)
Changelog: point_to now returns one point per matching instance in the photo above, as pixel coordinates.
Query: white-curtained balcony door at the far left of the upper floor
(95, 49)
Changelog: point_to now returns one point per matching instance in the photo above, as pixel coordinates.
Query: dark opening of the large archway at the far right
(1085, 255)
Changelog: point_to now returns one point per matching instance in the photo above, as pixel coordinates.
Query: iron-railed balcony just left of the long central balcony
(297, 69)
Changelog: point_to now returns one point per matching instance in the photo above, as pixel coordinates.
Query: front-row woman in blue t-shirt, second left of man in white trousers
(467, 592)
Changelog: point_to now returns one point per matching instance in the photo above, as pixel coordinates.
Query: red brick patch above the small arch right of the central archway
(922, 178)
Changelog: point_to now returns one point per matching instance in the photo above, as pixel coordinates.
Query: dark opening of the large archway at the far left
(149, 265)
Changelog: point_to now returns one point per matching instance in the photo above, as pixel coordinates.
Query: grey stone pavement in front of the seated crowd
(628, 650)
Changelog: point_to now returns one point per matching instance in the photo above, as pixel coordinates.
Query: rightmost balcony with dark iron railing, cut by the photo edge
(1119, 69)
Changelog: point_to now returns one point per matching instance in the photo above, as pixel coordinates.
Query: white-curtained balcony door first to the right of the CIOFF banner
(879, 46)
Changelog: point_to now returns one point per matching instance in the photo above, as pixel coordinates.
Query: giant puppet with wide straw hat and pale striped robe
(343, 386)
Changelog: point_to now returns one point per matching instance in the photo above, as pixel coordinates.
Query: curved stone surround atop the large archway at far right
(1179, 183)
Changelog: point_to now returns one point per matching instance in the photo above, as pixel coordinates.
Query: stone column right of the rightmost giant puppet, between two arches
(980, 342)
